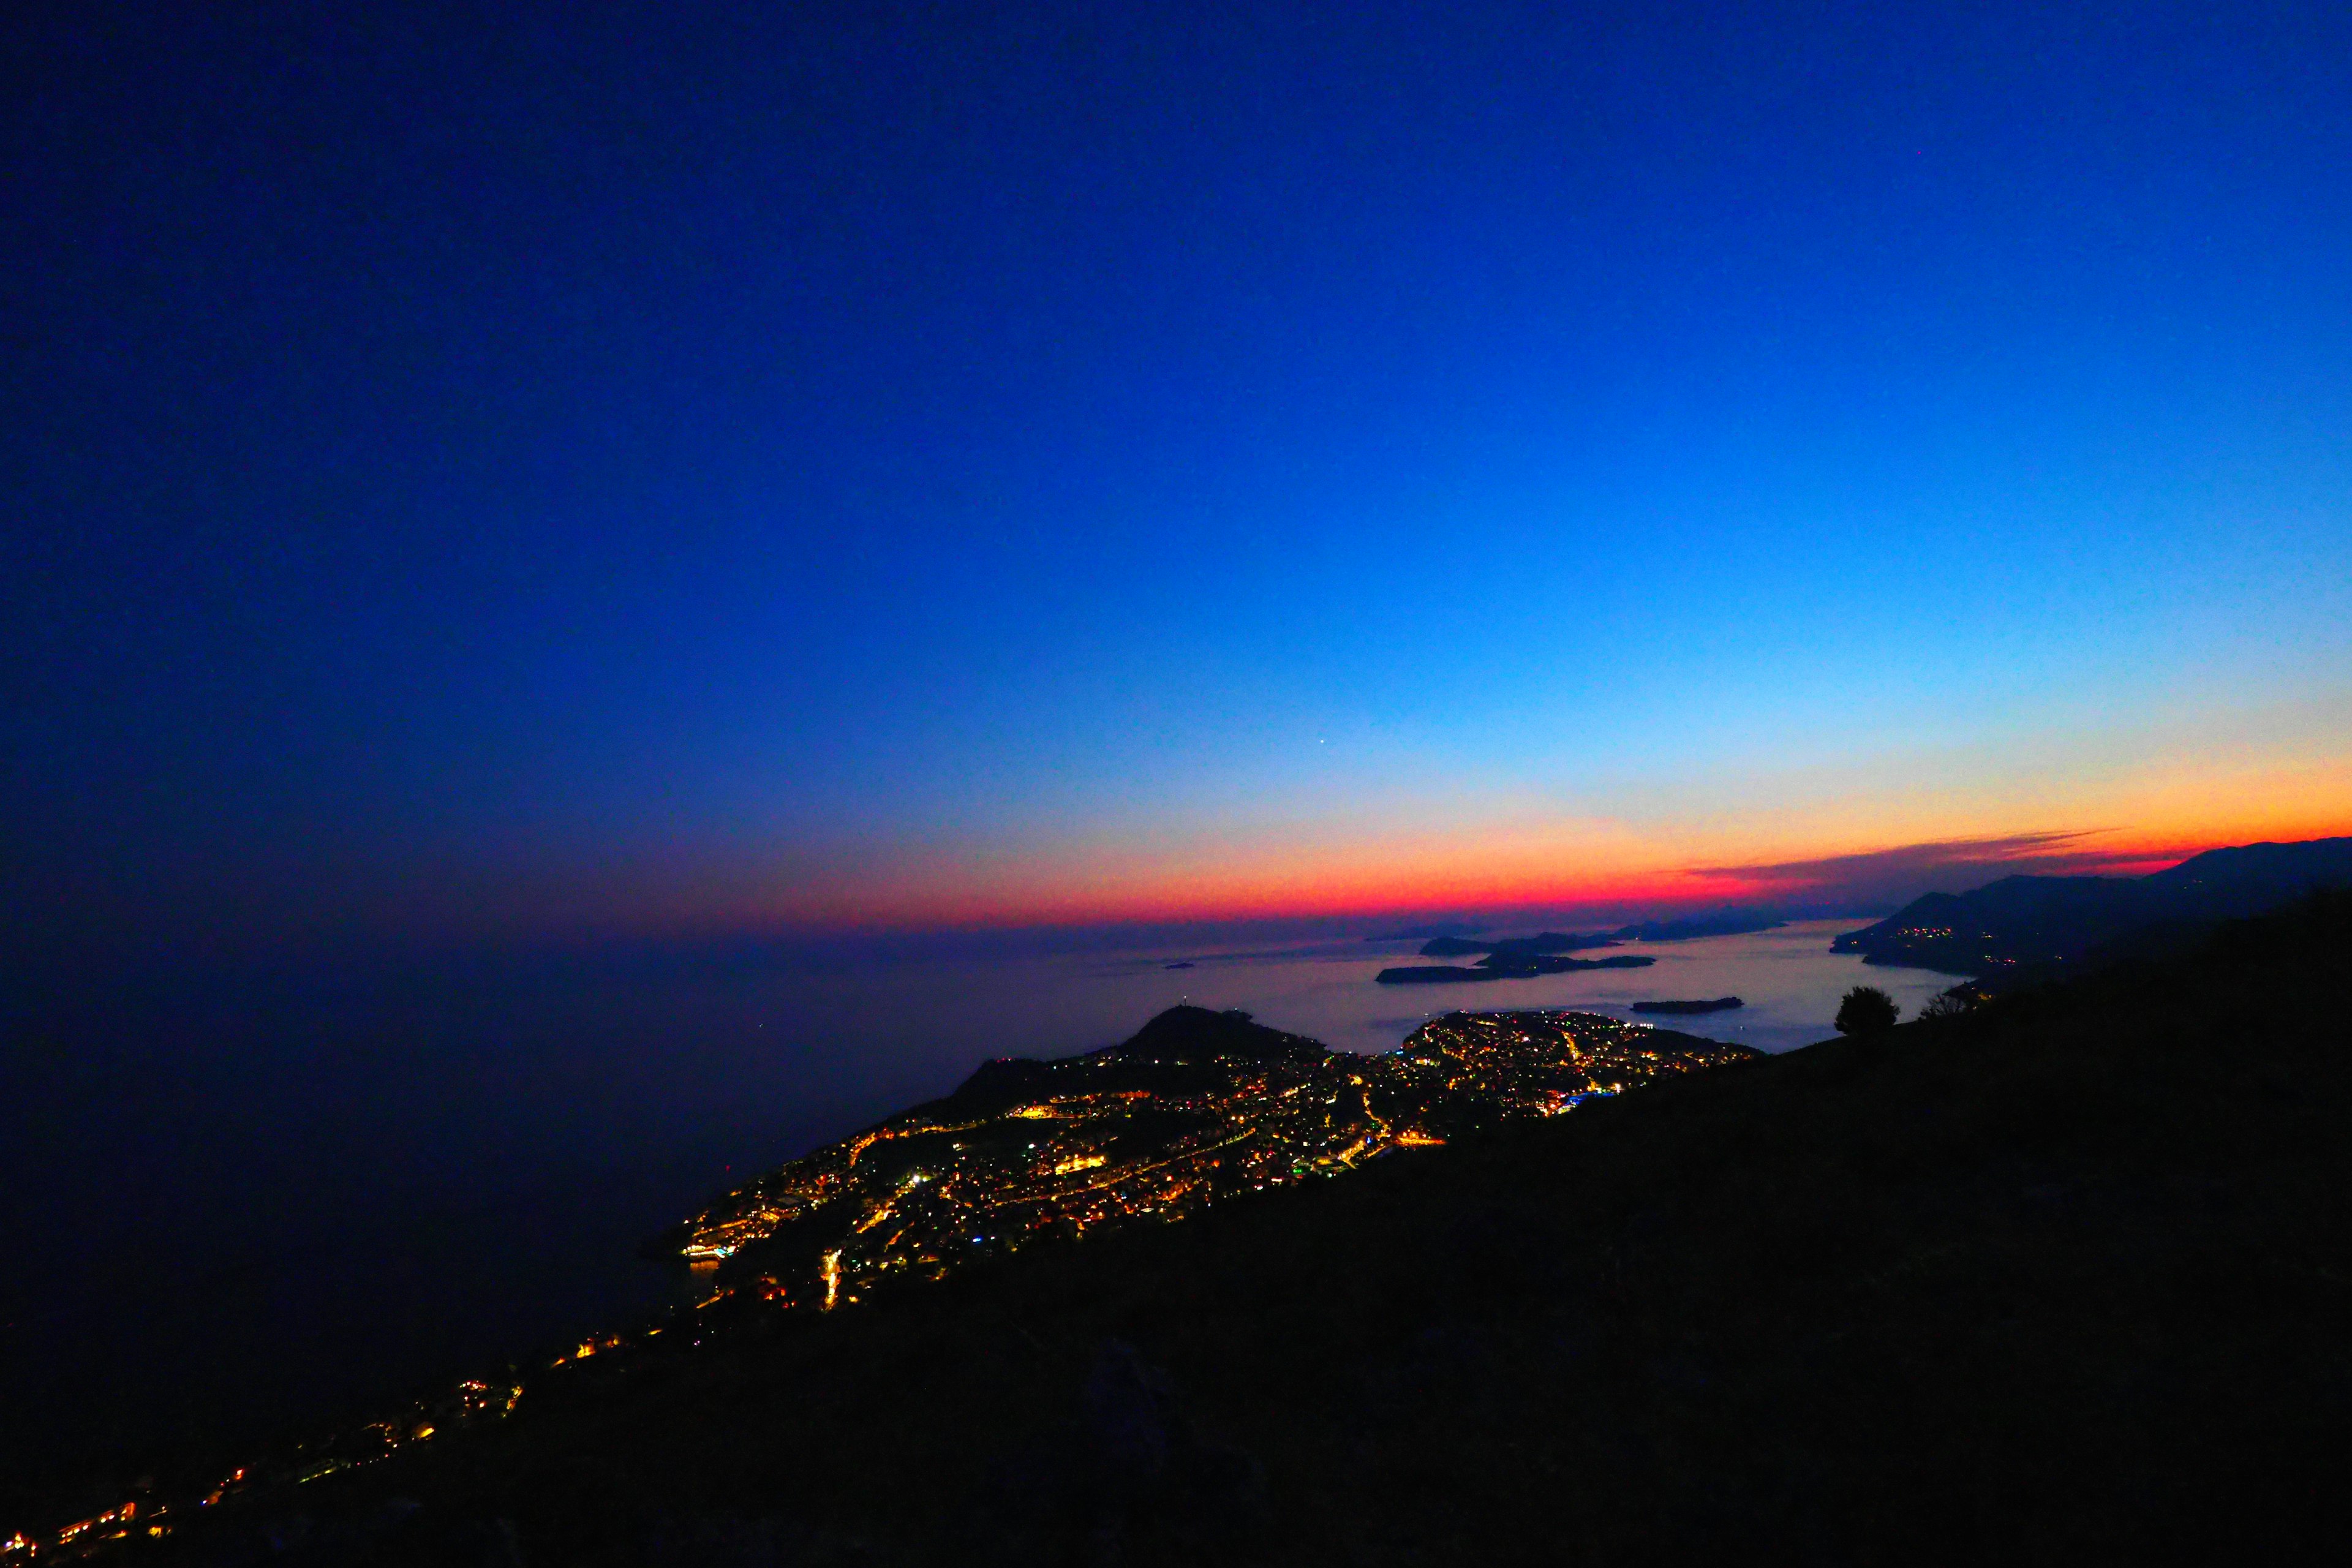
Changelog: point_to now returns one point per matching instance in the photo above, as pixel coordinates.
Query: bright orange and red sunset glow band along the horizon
(2113, 803)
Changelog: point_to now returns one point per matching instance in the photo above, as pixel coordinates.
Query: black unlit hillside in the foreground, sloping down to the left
(2059, 1280)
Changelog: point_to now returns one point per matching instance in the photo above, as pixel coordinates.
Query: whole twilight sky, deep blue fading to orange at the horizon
(700, 469)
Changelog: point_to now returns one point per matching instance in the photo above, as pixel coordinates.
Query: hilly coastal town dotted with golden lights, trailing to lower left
(1191, 1111)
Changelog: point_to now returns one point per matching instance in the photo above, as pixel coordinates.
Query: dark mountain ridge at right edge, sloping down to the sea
(2054, 920)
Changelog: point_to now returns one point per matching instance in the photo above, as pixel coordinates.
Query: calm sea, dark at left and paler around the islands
(281, 1202)
